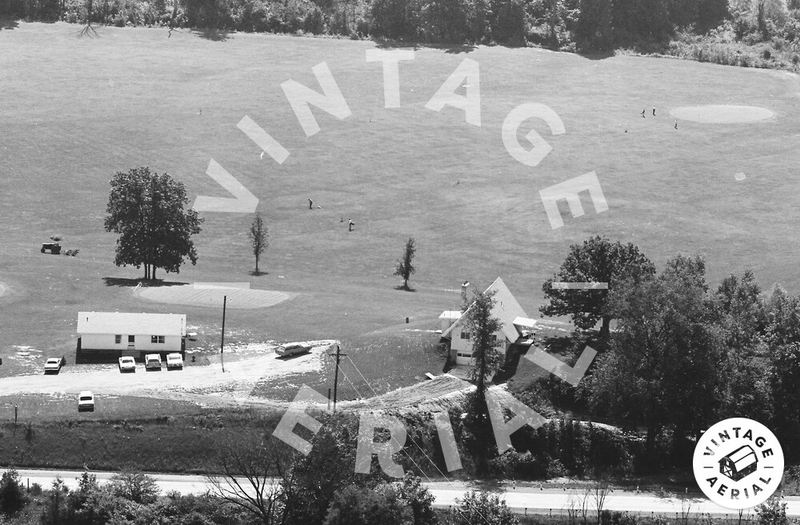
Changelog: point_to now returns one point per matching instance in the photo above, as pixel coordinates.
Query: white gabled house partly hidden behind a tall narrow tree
(515, 326)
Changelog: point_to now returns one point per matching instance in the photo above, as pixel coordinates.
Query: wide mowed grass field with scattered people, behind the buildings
(74, 111)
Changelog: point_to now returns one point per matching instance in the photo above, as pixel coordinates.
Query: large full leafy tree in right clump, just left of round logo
(662, 369)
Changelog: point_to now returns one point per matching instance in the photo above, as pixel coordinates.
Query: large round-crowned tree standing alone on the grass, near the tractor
(147, 210)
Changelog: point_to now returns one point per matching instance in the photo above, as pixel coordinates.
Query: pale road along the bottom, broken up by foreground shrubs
(523, 499)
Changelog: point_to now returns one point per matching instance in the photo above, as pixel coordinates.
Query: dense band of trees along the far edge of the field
(762, 33)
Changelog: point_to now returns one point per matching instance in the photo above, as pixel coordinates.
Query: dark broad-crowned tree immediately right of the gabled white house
(596, 260)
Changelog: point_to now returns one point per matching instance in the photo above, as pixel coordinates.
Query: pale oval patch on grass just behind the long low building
(211, 296)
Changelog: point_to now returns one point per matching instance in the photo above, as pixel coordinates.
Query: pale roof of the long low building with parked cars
(131, 323)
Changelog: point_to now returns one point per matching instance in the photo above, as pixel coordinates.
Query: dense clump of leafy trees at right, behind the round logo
(683, 356)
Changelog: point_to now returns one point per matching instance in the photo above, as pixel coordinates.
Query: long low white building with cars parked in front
(131, 333)
